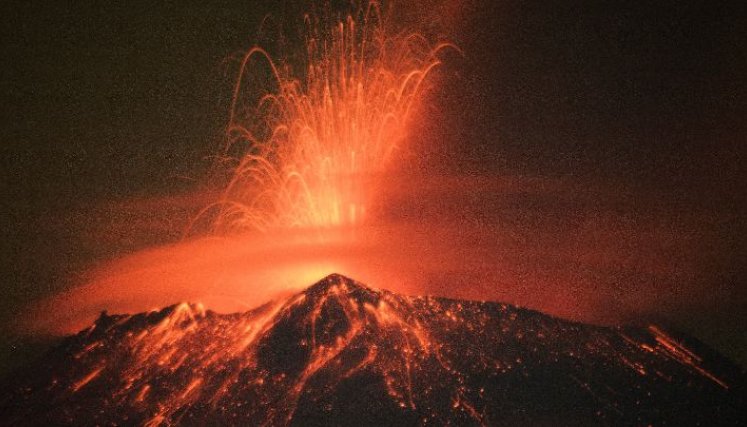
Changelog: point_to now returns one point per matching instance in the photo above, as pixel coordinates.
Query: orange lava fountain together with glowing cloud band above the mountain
(327, 145)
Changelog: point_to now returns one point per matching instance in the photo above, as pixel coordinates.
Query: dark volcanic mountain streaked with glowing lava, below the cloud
(340, 353)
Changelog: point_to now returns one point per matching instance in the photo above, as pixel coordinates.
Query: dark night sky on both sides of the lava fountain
(637, 109)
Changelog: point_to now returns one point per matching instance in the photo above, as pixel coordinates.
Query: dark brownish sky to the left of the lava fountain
(104, 102)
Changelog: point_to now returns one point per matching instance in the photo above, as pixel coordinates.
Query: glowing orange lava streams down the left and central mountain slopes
(160, 350)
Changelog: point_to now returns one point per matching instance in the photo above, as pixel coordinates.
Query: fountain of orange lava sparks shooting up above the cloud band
(312, 151)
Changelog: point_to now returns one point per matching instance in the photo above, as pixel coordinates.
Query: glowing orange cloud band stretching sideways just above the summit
(432, 243)
